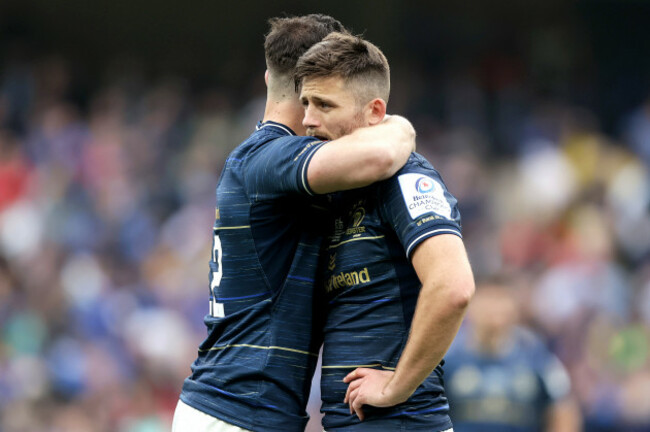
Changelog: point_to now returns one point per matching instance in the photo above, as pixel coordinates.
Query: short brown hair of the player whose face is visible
(350, 57)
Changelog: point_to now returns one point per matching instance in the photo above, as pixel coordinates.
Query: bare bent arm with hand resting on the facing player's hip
(447, 287)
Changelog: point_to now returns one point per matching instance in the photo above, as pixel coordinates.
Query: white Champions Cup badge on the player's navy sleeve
(422, 195)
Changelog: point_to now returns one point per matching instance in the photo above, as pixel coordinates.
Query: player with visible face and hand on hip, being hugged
(396, 274)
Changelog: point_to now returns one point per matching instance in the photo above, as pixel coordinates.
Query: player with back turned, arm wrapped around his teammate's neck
(254, 369)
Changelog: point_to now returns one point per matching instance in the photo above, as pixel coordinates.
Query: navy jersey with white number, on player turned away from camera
(254, 368)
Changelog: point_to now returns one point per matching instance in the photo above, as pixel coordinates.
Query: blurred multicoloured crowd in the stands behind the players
(107, 204)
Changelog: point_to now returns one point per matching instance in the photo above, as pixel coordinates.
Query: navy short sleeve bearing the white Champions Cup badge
(417, 204)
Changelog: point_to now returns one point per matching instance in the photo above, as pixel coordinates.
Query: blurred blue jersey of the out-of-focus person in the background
(506, 392)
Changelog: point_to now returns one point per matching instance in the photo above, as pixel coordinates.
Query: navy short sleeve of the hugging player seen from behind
(280, 166)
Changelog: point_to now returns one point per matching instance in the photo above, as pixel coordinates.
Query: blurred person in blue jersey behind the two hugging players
(501, 377)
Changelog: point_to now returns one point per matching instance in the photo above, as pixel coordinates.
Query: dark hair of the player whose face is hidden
(290, 37)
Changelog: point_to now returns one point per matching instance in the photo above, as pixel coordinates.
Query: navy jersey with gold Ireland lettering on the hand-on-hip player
(372, 288)
